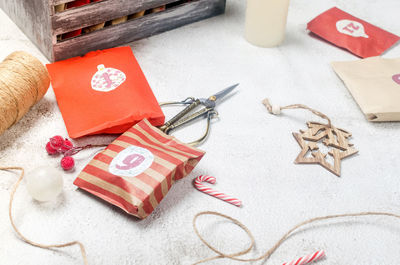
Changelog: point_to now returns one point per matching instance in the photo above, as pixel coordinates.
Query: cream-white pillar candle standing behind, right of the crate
(266, 22)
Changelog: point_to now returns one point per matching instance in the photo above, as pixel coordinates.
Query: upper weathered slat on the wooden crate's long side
(99, 12)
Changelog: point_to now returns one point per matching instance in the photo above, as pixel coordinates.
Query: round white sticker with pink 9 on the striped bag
(131, 162)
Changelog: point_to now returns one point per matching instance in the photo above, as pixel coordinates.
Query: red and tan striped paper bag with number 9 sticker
(136, 171)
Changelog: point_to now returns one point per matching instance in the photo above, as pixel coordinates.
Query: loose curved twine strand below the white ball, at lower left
(45, 246)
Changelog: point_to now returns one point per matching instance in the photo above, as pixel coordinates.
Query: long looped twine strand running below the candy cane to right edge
(268, 253)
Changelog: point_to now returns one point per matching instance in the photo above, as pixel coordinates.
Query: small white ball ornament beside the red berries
(44, 183)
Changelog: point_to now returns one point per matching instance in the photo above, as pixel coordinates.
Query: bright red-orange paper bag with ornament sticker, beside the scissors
(103, 92)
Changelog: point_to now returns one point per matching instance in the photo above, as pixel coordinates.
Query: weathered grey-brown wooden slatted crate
(44, 26)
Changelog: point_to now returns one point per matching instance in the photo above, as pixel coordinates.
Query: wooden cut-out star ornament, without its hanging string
(334, 138)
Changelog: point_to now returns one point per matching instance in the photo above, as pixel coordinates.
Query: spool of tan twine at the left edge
(24, 80)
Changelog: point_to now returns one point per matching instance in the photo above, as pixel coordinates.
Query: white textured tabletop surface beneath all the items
(250, 152)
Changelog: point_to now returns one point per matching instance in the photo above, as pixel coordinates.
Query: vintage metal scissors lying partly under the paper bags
(187, 115)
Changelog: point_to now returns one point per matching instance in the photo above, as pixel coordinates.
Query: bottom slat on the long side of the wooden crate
(139, 28)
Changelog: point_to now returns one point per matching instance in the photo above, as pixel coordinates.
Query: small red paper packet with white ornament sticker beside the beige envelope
(351, 33)
